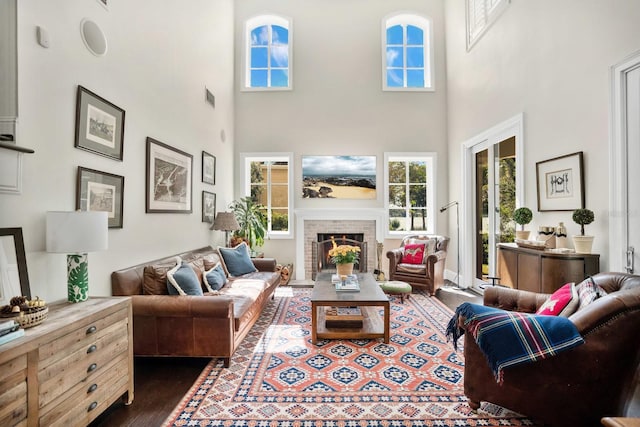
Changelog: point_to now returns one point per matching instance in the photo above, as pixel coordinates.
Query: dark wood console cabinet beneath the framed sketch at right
(542, 270)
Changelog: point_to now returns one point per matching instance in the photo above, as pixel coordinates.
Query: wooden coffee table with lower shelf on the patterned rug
(369, 298)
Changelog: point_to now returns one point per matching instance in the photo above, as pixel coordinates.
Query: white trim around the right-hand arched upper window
(426, 24)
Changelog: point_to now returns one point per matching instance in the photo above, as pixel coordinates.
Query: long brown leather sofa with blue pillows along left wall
(193, 326)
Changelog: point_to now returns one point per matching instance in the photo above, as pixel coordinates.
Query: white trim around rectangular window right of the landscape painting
(431, 159)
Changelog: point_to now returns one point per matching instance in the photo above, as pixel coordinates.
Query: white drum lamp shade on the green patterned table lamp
(77, 232)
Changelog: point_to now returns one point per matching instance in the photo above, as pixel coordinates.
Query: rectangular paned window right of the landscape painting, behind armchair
(410, 192)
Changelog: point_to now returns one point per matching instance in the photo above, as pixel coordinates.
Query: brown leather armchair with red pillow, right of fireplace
(430, 275)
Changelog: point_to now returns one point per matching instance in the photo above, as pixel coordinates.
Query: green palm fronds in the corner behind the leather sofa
(251, 220)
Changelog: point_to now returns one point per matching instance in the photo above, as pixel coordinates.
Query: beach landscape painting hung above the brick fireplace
(339, 177)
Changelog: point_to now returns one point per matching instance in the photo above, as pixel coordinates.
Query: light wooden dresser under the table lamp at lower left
(69, 369)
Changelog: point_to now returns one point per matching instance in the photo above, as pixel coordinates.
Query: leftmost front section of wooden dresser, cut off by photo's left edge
(13, 391)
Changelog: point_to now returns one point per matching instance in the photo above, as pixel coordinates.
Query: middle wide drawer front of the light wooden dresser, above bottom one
(83, 364)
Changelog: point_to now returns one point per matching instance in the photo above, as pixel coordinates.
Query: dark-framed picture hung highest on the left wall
(99, 125)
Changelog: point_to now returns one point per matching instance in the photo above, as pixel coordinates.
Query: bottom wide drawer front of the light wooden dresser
(87, 399)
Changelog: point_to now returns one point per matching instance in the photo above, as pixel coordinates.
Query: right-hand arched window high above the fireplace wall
(407, 52)
